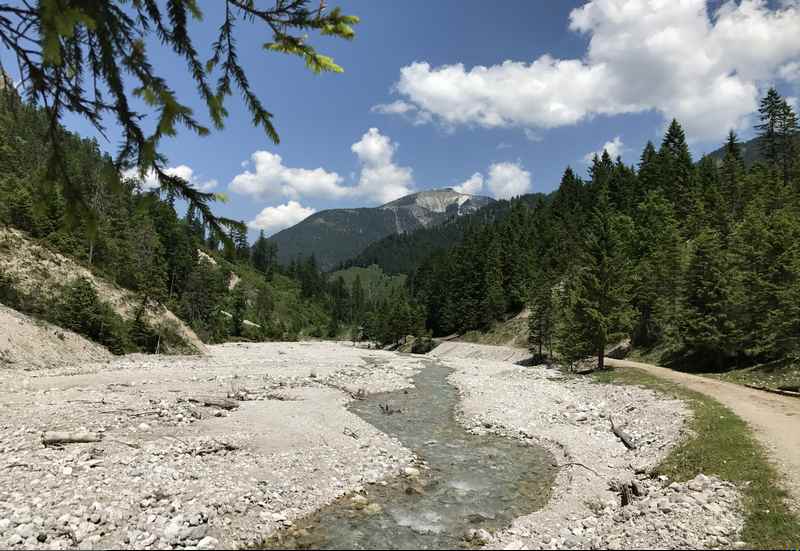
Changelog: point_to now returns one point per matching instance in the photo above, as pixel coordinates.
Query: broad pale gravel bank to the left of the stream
(173, 473)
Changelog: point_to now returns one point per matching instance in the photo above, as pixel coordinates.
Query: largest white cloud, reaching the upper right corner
(673, 57)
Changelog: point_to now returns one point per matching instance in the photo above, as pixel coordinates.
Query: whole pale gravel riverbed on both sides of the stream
(171, 472)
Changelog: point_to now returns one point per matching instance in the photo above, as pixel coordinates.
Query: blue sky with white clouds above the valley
(489, 98)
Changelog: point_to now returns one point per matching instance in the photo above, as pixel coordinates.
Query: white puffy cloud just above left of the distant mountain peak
(380, 179)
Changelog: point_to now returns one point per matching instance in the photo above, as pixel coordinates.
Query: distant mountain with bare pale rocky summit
(336, 235)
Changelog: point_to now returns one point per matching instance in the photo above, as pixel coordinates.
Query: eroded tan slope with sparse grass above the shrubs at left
(37, 270)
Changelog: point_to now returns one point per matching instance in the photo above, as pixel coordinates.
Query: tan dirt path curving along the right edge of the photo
(775, 419)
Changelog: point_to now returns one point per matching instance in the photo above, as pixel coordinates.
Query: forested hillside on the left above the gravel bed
(136, 238)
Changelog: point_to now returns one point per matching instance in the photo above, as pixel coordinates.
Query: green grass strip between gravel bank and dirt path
(720, 443)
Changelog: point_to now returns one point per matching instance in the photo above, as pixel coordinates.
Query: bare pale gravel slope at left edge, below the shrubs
(27, 343)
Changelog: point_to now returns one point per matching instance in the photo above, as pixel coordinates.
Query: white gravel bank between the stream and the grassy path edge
(572, 417)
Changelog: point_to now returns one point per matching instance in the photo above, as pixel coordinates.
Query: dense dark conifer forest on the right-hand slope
(700, 261)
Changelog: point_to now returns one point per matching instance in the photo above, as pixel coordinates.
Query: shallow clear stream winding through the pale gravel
(473, 481)
